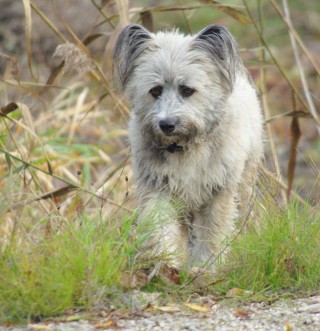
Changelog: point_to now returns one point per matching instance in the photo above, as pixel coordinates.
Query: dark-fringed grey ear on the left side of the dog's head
(132, 41)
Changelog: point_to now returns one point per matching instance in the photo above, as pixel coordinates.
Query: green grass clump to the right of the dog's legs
(281, 252)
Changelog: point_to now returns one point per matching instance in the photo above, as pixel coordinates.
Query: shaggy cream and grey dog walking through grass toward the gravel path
(195, 134)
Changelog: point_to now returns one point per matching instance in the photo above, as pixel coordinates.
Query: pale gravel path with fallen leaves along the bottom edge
(288, 315)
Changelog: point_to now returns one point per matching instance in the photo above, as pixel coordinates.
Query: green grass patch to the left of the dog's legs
(76, 267)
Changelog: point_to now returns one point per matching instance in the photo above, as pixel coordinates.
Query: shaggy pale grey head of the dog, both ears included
(177, 85)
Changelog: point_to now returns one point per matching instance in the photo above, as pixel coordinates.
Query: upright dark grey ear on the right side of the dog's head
(219, 43)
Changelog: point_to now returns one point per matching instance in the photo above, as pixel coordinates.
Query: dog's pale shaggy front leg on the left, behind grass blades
(164, 236)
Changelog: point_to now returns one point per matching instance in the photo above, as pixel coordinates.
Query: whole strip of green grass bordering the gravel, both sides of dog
(80, 263)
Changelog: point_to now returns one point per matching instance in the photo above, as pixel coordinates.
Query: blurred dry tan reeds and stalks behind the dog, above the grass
(77, 118)
